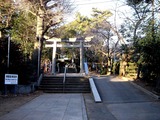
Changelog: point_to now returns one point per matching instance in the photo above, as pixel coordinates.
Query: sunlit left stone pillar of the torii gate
(54, 58)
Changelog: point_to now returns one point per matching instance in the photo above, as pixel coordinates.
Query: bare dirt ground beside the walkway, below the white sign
(11, 102)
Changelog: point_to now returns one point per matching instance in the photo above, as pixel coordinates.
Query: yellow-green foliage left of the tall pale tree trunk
(23, 32)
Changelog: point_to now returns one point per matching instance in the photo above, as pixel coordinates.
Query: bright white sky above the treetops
(85, 8)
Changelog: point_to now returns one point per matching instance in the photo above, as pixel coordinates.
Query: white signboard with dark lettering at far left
(11, 79)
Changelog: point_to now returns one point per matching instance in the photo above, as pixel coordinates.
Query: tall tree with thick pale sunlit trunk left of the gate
(48, 14)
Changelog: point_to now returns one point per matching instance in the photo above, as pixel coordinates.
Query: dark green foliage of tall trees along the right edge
(144, 30)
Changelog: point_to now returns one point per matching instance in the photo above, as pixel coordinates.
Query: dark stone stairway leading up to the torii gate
(54, 84)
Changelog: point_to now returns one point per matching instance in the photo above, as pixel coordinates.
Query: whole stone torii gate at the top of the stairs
(71, 40)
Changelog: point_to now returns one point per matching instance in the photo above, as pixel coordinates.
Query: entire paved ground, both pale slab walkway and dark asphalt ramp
(121, 101)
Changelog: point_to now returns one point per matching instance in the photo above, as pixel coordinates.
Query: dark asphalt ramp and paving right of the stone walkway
(121, 101)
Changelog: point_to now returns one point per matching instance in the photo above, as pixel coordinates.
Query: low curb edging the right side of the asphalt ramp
(145, 91)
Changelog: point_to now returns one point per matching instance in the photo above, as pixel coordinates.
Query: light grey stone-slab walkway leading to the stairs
(51, 107)
